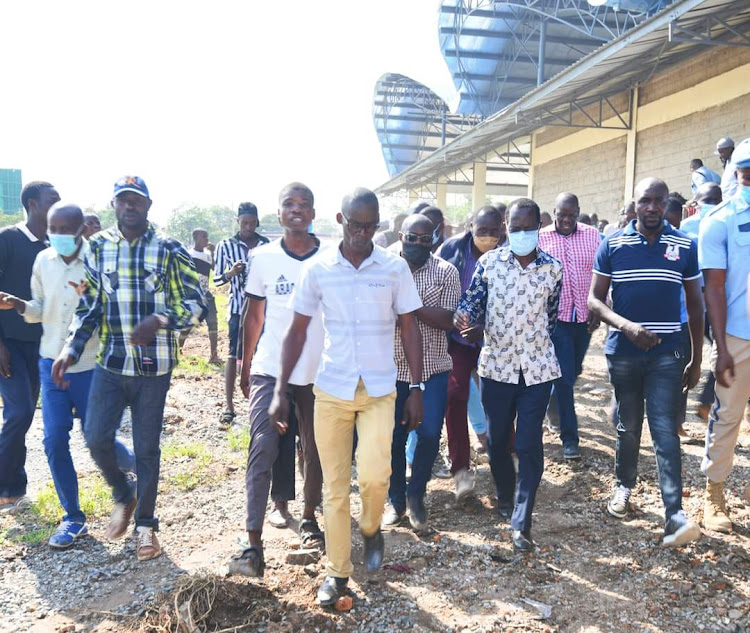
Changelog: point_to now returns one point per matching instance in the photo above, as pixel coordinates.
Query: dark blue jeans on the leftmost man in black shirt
(19, 393)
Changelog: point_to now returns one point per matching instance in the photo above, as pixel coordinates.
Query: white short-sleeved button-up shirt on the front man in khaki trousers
(359, 307)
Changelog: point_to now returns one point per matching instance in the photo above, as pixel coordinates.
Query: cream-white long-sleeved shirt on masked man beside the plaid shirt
(54, 302)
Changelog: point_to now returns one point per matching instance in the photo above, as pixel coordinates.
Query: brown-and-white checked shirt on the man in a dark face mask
(439, 286)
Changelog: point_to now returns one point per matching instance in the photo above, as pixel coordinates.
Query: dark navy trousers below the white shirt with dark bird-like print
(504, 403)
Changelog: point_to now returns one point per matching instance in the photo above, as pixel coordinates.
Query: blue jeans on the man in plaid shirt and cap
(146, 396)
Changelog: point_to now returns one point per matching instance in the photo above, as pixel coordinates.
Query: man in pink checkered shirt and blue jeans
(574, 245)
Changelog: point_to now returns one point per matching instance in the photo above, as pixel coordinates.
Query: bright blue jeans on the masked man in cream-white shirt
(57, 416)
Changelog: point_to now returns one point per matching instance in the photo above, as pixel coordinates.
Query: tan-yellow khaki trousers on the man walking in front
(334, 435)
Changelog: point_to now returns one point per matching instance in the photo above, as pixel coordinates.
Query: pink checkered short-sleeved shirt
(576, 252)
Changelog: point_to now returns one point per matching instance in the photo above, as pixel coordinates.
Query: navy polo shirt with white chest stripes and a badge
(647, 284)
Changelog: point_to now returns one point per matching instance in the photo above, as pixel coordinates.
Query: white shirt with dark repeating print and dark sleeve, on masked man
(519, 307)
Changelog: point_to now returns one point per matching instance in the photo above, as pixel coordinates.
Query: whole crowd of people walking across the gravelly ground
(364, 348)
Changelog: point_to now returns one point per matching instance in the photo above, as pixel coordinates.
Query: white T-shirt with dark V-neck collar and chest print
(273, 273)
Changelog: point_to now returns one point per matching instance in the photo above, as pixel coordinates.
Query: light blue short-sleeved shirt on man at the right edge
(724, 244)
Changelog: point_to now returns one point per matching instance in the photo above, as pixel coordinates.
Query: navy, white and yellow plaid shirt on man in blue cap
(128, 282)
